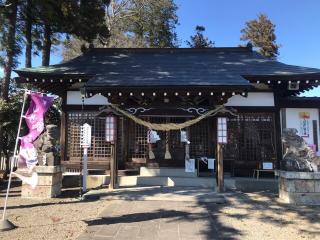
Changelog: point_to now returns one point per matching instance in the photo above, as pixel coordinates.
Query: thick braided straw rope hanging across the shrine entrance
(171, 126)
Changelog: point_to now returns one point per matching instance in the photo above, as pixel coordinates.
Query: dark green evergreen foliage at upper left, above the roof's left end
(56, 18)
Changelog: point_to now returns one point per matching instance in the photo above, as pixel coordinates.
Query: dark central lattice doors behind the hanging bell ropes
(200, 136)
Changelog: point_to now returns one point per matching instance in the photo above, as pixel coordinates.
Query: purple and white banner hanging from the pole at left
(34, 118)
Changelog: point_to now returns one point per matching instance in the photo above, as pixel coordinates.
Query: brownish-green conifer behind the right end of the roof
(260, 33)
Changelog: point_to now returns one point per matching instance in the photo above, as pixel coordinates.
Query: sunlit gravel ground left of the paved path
(62, 218)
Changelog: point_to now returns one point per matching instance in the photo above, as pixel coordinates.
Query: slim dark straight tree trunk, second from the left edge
(28, 35)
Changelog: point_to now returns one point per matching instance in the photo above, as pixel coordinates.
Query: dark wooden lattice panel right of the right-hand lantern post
(251, 141)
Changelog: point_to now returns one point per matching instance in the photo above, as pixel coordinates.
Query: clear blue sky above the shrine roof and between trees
(297, 26)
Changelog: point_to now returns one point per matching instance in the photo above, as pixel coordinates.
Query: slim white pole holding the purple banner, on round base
(14, 158)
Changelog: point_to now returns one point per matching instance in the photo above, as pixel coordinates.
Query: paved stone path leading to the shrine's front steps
(156, 213)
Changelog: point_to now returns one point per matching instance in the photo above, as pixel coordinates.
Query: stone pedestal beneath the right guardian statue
(302, 188)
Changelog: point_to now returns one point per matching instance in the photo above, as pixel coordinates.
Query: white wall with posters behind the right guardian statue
(293, 121)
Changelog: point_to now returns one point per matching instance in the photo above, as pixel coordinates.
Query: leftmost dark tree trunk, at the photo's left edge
(10, 51)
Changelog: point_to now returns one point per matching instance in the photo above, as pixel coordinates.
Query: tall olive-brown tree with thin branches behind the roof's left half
(134, 24)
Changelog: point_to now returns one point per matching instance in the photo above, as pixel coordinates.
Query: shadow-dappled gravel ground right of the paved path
(263, 216)
